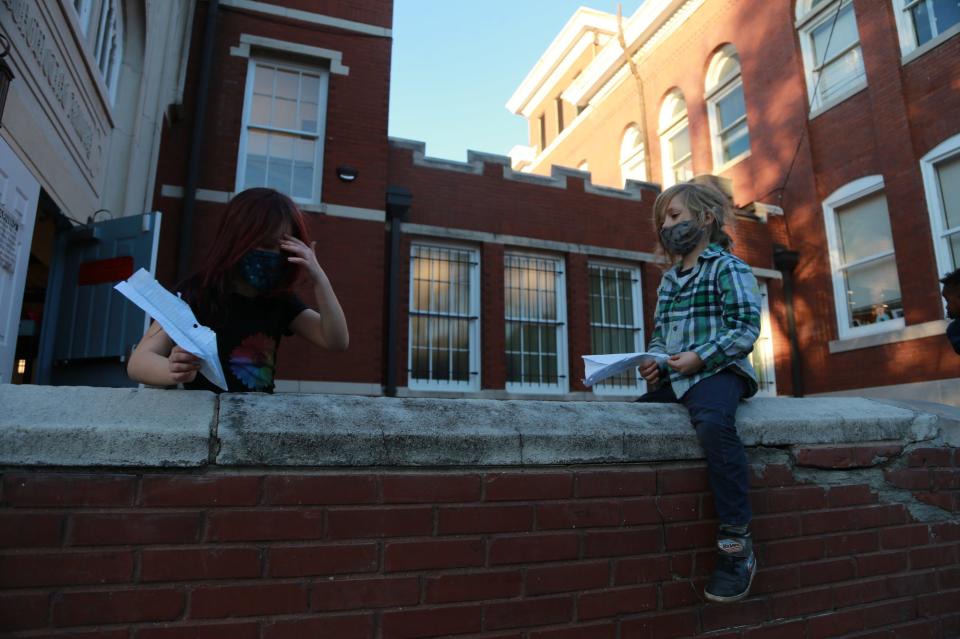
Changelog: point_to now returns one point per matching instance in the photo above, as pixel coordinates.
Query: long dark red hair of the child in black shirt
(252, 218)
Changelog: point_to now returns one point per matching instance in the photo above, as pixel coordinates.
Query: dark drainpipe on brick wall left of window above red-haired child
(196, 139)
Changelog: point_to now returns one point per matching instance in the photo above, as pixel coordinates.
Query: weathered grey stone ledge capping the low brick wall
(70, 426)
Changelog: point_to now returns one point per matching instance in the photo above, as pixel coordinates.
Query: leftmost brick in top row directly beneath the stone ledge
(24, 490)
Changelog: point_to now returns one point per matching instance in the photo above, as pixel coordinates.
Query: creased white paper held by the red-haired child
(178, 320)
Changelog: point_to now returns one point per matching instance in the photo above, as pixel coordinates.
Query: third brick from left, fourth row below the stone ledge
(247, 600)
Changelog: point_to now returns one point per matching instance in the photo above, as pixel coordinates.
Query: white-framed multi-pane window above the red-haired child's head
(284, 115)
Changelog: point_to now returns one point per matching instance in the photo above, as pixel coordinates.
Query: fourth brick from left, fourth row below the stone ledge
(355, 594)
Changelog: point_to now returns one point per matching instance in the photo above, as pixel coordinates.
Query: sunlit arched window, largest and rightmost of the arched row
(727, 109)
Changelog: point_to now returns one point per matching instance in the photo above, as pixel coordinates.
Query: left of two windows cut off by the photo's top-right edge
(830, 43)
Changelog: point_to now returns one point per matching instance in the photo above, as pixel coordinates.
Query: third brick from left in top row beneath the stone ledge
(296, 490)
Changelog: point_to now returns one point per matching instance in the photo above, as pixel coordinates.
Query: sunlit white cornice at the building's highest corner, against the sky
(584, 21)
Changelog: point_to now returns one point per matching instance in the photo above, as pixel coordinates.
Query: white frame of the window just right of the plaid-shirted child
(848, 194)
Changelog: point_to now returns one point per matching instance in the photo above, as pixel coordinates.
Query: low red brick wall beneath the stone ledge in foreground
(611, 551)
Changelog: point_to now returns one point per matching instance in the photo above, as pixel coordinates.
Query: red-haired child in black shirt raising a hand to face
(243, 292)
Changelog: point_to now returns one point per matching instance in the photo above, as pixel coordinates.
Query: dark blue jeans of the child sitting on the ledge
(712, 403)
